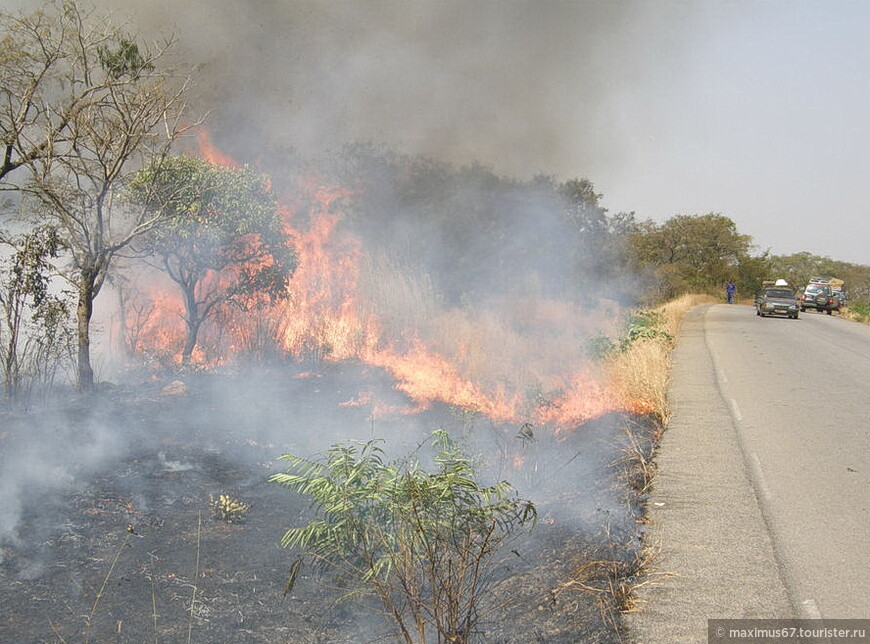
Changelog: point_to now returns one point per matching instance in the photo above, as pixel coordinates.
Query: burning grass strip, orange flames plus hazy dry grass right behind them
(512, 353)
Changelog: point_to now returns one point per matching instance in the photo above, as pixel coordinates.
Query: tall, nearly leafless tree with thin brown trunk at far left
(85, 108)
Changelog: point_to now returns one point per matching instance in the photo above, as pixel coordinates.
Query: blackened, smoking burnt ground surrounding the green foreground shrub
(75, 481)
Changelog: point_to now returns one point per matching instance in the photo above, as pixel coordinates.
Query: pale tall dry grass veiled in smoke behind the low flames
(515, 345)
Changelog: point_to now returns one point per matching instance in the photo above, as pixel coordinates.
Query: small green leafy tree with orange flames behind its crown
(222, 240)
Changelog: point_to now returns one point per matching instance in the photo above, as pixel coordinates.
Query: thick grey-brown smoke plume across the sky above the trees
(517, 85)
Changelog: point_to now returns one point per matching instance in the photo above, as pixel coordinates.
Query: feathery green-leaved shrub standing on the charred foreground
(421, 543)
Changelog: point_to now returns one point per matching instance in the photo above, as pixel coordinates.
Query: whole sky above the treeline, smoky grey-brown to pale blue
(757, 110)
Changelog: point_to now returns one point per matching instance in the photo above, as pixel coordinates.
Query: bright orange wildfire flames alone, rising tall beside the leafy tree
(325, 318)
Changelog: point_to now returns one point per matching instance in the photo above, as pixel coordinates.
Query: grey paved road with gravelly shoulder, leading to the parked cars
(762, 507)
